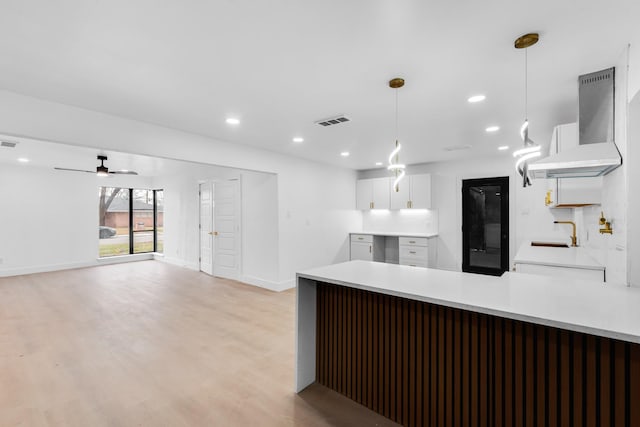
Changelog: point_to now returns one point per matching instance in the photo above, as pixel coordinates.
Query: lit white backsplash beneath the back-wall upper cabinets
(401, 221)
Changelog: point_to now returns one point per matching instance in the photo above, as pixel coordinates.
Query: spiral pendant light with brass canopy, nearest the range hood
(530, 149)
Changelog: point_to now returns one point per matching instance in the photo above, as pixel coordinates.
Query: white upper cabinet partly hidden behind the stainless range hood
(570, 192)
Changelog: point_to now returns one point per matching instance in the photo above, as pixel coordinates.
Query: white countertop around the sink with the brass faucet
(560, 257)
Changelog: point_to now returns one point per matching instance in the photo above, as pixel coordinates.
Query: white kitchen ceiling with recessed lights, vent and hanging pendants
(281, 65)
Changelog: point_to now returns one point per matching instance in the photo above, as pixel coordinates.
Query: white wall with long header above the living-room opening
(316, 203)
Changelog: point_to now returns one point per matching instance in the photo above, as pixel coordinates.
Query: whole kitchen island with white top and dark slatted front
(434, 347)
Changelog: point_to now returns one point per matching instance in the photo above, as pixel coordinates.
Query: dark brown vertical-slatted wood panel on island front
(422, 364)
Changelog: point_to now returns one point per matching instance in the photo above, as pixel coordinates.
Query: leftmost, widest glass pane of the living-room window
(113, 221)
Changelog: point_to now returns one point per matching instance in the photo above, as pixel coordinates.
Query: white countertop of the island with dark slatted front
(591, 307)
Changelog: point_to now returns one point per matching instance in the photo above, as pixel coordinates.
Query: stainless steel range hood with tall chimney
(596, 154)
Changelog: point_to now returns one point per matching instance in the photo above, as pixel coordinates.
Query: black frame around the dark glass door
(503, 182)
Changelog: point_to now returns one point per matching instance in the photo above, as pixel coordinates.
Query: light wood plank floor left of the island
(152, 344)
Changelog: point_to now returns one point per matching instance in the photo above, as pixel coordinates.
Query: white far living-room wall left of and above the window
(49, 219)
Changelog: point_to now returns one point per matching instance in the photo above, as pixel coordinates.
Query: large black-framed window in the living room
(130, 221)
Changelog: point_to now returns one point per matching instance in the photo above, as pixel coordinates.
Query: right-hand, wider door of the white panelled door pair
(227, 229)
